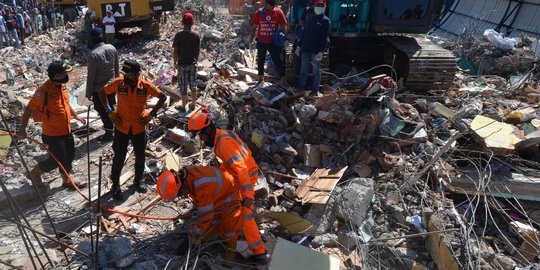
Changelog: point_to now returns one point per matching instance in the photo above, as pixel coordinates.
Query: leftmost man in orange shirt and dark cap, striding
(50, 104)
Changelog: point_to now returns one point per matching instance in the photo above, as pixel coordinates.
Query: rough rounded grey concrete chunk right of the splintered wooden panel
(354, 200)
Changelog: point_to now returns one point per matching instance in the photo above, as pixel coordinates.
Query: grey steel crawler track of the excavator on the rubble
(430, 67)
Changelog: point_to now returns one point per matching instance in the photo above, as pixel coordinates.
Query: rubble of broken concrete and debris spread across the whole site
(373, 175)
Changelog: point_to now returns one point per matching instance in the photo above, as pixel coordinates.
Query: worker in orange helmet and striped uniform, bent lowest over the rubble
(215, 196)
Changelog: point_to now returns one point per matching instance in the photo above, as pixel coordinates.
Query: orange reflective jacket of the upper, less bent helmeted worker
(237, 160)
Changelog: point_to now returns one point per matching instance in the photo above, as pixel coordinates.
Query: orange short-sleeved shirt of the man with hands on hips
(131, 104)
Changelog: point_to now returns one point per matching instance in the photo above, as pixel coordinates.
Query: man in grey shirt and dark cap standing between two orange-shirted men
(102, 69)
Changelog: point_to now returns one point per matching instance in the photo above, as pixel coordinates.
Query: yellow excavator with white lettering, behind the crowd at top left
(133, 13)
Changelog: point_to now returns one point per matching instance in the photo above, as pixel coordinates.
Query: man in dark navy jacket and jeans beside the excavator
(314, 42)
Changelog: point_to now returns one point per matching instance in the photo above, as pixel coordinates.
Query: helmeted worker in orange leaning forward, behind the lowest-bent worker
(237, 160)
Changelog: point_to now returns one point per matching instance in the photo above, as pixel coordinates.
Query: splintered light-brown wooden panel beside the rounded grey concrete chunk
(317, 188)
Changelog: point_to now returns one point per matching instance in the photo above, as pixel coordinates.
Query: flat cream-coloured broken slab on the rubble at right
(495, 136)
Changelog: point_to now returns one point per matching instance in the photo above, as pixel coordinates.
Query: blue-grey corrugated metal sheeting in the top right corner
(511, 16)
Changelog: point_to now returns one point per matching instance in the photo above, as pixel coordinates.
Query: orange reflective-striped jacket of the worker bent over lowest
(216, 198)
